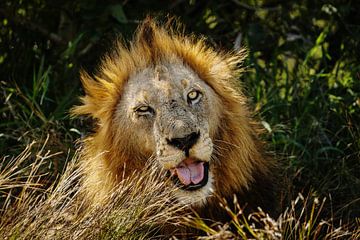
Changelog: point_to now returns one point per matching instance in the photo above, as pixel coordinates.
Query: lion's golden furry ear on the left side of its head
(97, 101)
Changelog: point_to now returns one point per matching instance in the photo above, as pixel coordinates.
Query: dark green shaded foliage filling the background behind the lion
(303, 76)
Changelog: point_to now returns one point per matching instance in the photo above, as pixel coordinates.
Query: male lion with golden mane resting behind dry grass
(173, 98)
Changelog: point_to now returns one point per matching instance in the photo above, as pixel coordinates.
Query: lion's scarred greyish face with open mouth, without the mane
(173, 115)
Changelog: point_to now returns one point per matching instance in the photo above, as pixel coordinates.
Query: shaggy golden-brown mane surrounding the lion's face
(108, 155)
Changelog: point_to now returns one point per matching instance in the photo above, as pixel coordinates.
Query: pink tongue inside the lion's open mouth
(192, 172)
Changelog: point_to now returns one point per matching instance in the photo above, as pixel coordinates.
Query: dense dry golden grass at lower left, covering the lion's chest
(138, 208)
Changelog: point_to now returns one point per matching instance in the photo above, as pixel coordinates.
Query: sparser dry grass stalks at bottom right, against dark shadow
(301, 220)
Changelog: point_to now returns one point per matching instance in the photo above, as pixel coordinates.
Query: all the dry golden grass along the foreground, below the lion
(139, 208)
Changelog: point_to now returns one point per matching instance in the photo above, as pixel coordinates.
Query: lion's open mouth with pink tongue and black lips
(191, 174)
